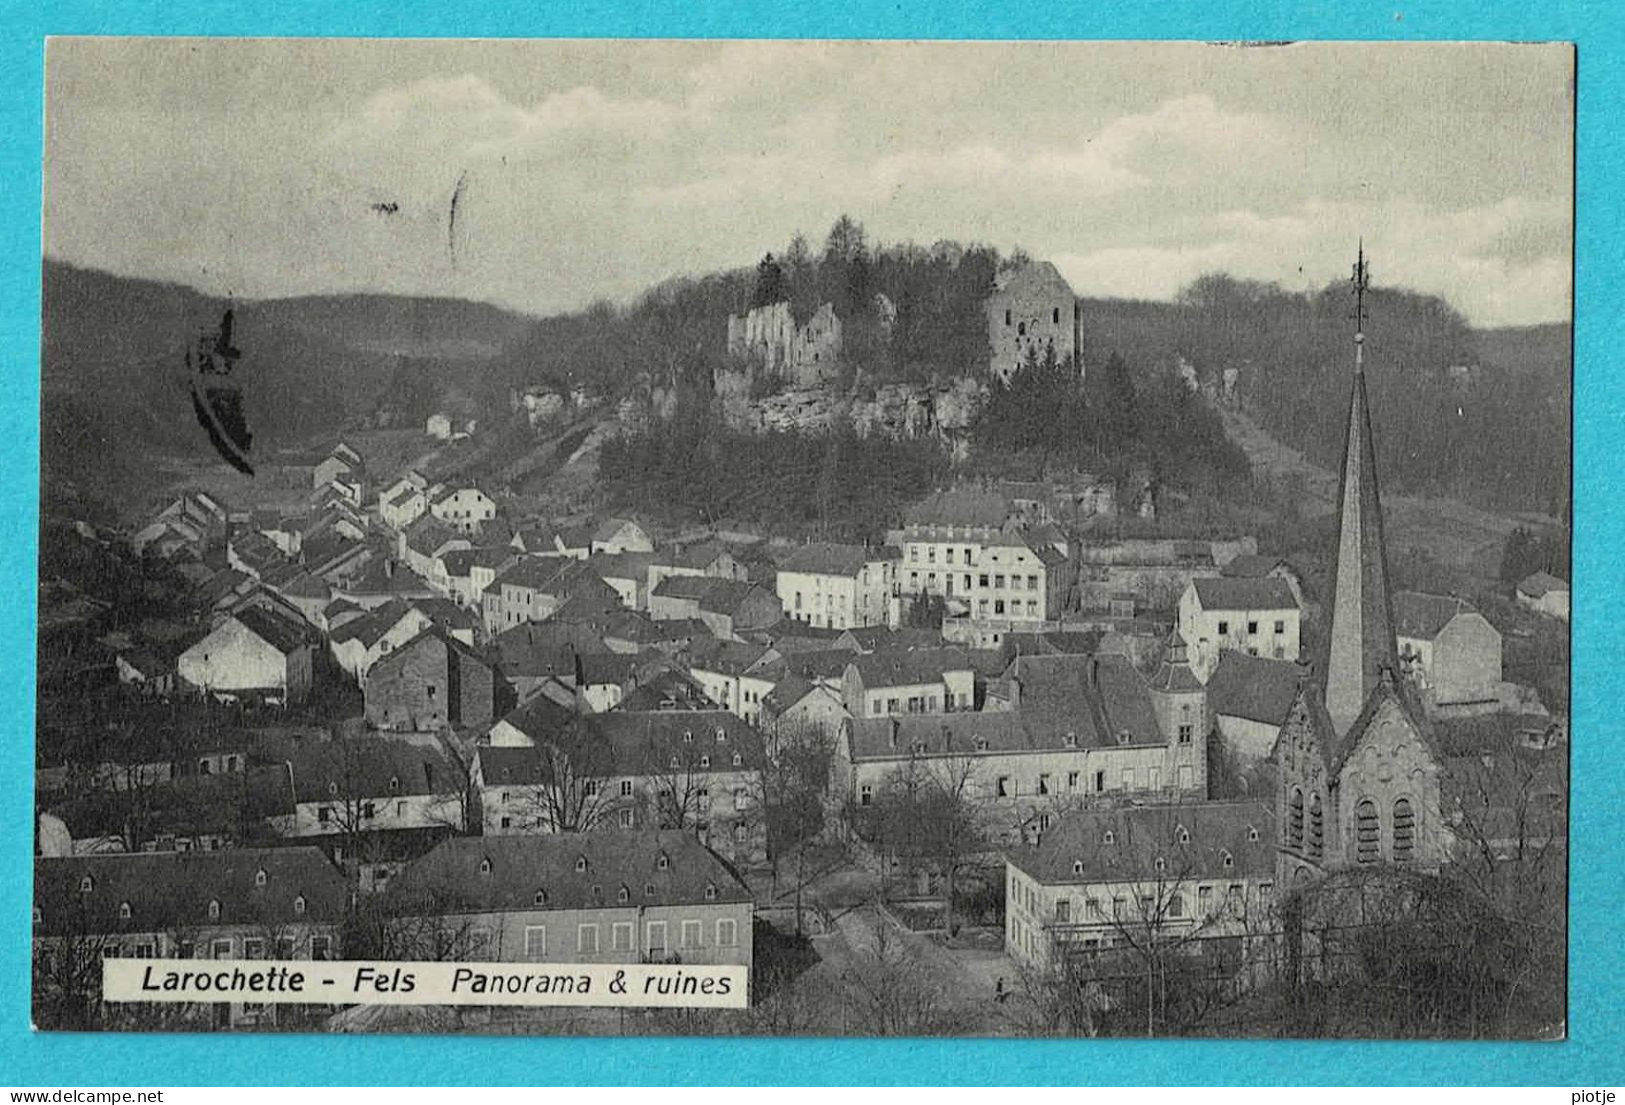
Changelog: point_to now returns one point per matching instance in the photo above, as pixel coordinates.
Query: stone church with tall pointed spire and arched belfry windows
(1358, 765)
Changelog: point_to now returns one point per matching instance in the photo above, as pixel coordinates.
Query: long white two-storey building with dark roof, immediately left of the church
(1137, 875)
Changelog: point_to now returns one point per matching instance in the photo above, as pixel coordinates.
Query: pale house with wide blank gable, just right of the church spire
(1447, 648)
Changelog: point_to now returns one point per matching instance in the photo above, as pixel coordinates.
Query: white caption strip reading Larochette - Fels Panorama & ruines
(415, 984)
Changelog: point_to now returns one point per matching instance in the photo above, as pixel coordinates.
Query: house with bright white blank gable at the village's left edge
(253, 656)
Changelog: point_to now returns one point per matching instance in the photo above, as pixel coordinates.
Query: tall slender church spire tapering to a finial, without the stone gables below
(1361, 638)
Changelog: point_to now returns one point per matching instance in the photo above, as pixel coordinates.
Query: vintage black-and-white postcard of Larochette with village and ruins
(805, 539)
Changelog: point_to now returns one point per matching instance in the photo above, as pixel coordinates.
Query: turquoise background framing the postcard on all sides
(1598, 886)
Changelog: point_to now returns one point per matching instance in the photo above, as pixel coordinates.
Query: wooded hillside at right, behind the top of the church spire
(1483, 415)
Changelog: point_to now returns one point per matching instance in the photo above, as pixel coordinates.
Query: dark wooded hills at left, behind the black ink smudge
(116, 394)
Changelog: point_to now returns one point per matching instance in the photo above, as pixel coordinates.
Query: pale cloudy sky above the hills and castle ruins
(550, 175)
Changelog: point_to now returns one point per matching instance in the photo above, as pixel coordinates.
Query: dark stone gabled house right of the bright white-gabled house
(435, 682)
